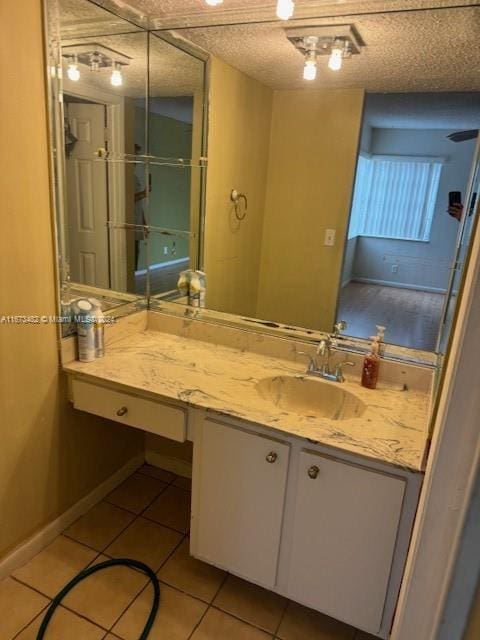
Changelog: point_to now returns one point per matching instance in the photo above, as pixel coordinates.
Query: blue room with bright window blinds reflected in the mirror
(401, 238)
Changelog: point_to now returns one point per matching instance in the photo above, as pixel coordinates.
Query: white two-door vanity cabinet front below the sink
(329, 532)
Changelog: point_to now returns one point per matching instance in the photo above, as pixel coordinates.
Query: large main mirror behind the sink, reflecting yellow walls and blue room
(292, 146)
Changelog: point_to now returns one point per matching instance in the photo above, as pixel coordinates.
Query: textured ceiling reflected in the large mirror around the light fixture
(412, 51)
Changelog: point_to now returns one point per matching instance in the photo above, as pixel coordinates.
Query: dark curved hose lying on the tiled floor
(123, 562)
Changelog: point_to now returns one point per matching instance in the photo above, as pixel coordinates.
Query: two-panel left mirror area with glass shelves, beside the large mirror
(133, 132)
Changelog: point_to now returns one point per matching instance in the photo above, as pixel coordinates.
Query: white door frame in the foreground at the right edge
(452, 469)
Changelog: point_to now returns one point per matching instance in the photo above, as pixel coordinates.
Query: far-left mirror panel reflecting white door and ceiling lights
(103, 77)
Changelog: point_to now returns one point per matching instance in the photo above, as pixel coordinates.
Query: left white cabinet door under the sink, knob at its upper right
(239, 481)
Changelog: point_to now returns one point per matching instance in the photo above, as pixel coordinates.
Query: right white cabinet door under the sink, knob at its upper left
(345, 527)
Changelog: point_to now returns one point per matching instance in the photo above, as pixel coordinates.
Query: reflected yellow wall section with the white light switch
(313, 154)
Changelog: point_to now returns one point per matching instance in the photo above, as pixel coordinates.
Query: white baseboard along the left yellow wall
(25, 551)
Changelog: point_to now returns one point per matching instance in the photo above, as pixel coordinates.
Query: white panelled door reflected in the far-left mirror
(87, 197)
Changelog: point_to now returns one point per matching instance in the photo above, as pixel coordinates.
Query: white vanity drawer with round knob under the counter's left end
(154, 417)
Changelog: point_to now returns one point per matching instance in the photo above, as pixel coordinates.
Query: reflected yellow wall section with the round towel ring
(239, 130)
